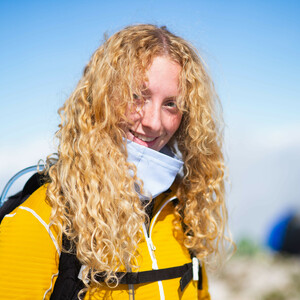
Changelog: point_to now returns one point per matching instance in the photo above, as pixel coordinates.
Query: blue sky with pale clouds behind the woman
(251, 47)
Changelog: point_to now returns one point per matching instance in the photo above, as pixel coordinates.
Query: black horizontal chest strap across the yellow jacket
(185, 272)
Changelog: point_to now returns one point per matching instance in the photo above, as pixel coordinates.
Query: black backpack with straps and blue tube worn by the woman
(68, 284)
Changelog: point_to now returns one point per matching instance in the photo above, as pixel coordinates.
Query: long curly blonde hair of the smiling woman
(94, 203)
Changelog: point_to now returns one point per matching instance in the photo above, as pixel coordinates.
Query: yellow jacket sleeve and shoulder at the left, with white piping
(28, 246)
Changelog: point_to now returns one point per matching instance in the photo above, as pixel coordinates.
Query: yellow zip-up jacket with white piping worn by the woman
(29, 255)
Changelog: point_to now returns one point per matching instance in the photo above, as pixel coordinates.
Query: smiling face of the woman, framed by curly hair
(156, 117)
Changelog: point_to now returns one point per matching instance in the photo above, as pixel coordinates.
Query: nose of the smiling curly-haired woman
(152, 118)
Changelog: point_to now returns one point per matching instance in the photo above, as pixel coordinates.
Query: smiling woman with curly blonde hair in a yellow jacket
(138, 183)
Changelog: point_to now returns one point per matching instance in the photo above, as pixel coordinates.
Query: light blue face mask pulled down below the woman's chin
(156, 169)
